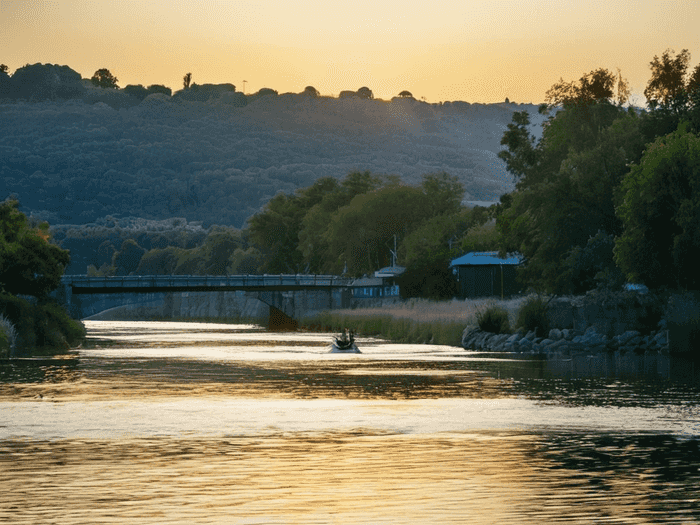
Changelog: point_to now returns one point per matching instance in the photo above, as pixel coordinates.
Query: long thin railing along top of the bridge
(170, 281)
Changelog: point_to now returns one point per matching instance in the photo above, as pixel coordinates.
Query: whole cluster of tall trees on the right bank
(609, 193)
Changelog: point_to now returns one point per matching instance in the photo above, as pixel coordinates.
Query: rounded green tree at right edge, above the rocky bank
(660, 210)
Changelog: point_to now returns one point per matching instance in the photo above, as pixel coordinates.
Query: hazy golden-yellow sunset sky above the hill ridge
(477, 51)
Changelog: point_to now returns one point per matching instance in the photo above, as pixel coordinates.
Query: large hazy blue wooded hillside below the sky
(75, 162)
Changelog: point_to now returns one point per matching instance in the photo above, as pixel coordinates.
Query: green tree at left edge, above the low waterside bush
(29, 263)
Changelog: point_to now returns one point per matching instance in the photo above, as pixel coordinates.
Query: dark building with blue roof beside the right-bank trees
(484, 274)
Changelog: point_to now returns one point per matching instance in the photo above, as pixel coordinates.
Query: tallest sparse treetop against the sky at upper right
(667, 82)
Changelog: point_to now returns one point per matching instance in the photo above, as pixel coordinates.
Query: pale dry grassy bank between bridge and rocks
(413, 321)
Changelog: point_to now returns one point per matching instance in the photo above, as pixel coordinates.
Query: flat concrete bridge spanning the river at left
(289, 297)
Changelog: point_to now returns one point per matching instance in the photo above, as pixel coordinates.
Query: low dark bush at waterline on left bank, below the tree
(43, 328)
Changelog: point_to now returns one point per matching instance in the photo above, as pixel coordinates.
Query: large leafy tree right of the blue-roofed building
(569, 194)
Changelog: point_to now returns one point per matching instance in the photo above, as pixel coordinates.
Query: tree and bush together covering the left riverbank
(31, 267)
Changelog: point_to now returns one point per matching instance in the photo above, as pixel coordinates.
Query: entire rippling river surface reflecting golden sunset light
(213, 423)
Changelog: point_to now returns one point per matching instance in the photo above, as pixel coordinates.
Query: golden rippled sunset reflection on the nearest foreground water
(355, 477)
